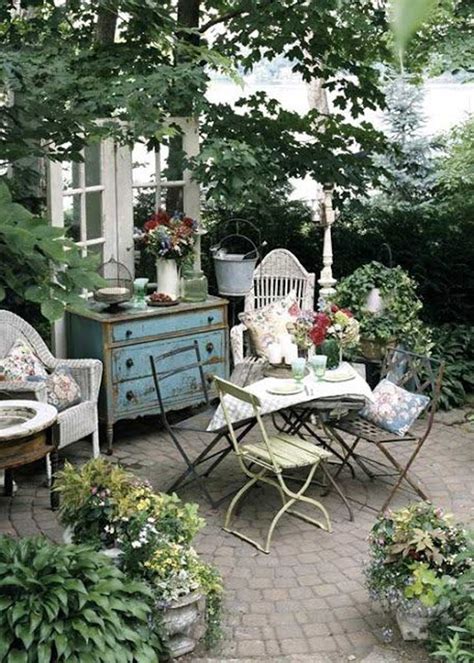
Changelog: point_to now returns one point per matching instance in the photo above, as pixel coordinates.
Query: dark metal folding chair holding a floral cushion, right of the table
(416, 373)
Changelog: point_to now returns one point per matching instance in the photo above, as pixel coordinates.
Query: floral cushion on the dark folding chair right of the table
(393, 408)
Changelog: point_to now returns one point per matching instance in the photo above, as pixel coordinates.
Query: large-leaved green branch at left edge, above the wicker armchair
(37, 263)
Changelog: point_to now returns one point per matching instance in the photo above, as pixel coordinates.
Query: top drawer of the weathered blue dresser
(167, 324)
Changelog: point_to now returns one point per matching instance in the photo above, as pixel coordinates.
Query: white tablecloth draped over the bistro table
(239, 410)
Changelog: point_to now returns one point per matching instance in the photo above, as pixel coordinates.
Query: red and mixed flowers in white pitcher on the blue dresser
(171, 240)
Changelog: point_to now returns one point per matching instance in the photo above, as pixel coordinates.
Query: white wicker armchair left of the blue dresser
(75, 422)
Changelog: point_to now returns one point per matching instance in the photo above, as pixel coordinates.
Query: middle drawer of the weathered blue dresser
(133, 361)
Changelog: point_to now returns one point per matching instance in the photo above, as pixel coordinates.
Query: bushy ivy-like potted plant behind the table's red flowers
(385, 302)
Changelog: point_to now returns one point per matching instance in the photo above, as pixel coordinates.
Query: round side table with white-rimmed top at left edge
(28, 432)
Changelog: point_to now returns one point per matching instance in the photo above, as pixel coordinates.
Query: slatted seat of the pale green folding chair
(288, 450)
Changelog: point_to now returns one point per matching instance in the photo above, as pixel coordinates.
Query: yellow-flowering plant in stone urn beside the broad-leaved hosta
(150, 535)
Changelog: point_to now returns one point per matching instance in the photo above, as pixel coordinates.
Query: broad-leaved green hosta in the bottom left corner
(70, 604)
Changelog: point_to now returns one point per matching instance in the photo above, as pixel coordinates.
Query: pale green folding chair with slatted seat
(272, 455)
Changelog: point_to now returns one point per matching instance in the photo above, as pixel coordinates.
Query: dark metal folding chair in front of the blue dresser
(197, 423)
